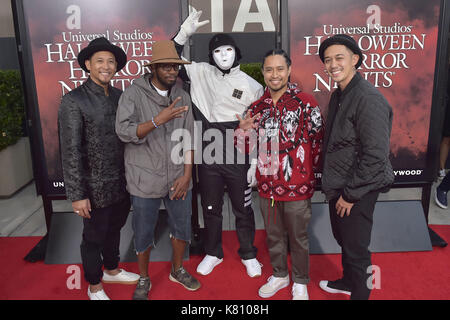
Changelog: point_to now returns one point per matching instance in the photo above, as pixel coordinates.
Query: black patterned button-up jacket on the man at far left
(91, 153)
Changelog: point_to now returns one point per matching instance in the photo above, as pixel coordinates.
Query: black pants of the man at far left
(101, 240)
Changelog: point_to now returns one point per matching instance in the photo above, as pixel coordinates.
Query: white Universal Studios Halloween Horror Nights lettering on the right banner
(385, 48)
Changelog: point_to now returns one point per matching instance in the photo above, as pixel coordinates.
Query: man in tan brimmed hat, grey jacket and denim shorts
(148, 117)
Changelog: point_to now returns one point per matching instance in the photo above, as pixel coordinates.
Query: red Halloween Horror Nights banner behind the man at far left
(56, 32)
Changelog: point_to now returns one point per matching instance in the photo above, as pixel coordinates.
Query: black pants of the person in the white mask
(212, 180)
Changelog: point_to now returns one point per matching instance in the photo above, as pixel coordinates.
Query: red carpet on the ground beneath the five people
(404, 276)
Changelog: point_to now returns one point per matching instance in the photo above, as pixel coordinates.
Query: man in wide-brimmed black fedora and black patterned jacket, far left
(93, 165)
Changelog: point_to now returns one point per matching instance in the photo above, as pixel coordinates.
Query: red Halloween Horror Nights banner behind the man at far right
(399, 42)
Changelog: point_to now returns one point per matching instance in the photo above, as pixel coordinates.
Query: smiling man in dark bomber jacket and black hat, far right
(356, 165)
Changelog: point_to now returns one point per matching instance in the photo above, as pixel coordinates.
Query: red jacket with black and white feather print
(289, 140)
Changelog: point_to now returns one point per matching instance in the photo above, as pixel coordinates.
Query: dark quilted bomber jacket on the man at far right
(357, 142)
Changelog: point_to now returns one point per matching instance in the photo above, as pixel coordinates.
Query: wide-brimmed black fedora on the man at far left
(102, 44)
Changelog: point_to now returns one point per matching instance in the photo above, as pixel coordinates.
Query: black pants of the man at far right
(353, 234)
